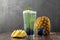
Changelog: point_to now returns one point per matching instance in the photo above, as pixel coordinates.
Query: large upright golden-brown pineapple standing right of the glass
(43, 22)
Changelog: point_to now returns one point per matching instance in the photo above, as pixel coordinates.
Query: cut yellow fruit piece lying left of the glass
(19, 33)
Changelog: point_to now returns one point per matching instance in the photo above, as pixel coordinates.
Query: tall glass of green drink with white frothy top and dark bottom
(29, 21)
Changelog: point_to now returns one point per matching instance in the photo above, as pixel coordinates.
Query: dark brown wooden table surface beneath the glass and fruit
(6, 36)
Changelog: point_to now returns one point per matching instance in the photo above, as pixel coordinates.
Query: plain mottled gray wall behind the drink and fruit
(11, 13)
